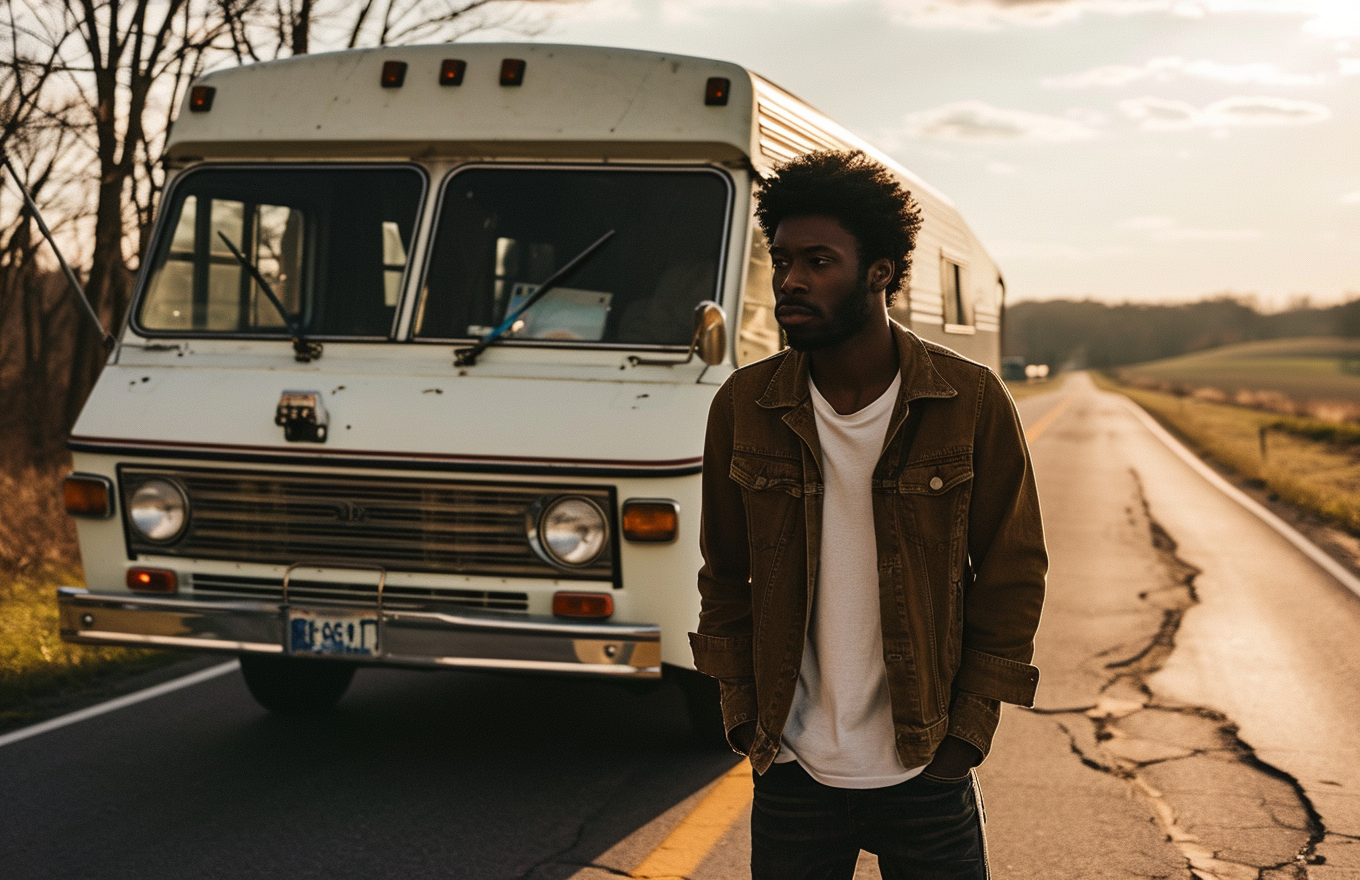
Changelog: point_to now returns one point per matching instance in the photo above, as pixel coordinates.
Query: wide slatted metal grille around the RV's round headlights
(405, 526)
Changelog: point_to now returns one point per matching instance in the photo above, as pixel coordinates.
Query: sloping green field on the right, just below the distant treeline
(1301, 369)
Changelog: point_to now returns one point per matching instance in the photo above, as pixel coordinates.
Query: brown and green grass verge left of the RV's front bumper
(37, 554)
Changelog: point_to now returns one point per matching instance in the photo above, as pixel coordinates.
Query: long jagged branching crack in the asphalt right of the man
(1116, 749)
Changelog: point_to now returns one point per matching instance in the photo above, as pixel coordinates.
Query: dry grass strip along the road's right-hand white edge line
(1308, 463)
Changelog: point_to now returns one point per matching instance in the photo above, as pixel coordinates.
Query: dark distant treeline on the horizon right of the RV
(1089, 334)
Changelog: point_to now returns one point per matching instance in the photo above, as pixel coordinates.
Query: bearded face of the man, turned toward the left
(822, 299)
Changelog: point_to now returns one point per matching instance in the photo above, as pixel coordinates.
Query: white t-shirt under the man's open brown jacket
(841, 724)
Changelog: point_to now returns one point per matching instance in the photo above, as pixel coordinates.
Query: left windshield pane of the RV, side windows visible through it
(333, 243)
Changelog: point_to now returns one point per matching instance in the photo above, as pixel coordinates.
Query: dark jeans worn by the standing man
(921, 830)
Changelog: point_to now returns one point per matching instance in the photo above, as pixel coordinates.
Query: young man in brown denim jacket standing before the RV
(874, 557)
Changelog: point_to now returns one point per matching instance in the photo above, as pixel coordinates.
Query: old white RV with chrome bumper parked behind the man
(304, 450)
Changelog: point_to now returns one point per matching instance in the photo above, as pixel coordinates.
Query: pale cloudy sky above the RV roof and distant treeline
(1124, 150)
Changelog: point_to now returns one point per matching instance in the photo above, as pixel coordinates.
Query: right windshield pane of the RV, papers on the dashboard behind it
(504, 232)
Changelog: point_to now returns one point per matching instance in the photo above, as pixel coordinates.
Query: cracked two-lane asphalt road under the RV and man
(1199, 709)
